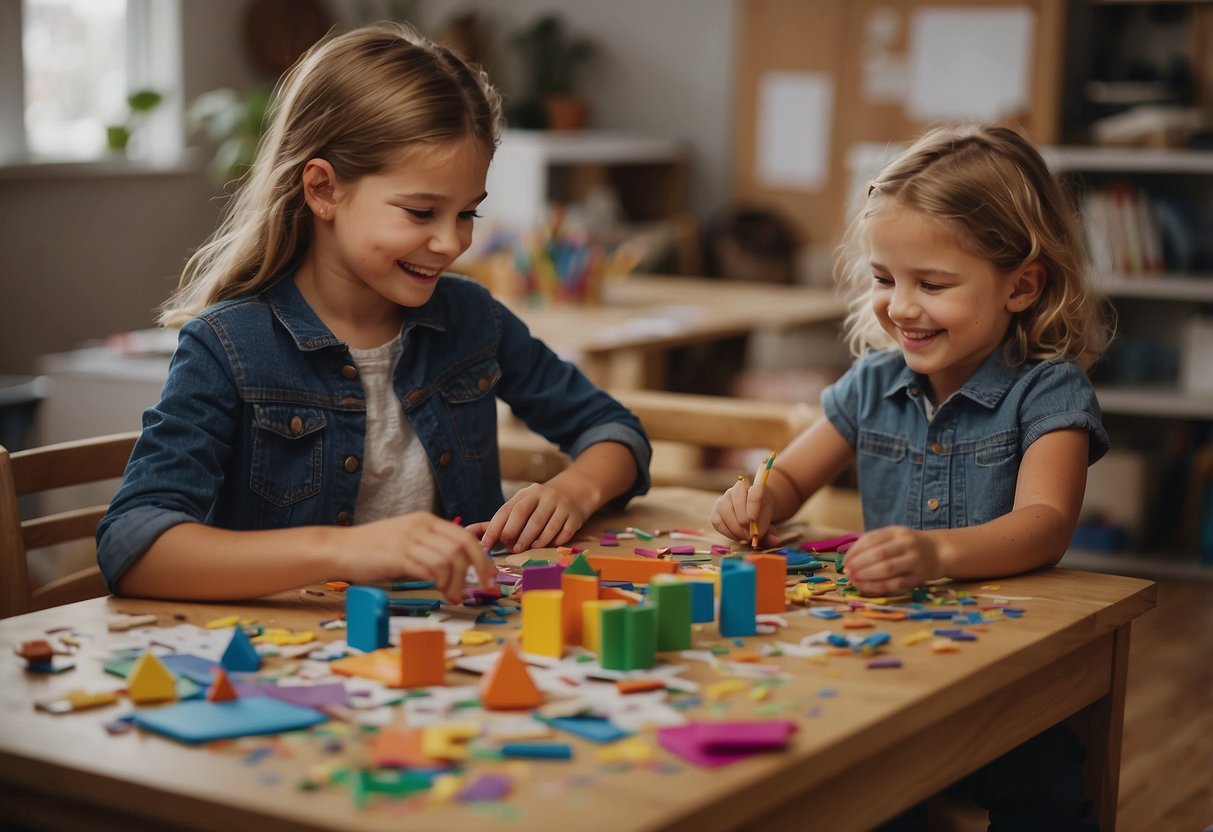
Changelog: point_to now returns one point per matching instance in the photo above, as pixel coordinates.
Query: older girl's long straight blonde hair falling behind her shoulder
(356, 100)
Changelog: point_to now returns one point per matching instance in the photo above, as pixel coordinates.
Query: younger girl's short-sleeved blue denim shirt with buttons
(959, 470)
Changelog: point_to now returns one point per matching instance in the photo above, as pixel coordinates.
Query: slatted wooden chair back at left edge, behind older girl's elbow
(42, 470)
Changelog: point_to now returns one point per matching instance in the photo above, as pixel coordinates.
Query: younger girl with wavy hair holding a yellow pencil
(969, 414)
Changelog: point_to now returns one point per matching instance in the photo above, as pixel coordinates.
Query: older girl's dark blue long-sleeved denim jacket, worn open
(263, 420)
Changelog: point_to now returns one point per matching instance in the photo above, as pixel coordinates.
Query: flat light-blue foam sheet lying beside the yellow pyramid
(201, 721)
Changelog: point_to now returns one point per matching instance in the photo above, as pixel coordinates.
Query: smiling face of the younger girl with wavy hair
(946, 309)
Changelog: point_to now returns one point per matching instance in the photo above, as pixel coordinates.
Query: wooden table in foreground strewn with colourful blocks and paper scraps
(870, 743)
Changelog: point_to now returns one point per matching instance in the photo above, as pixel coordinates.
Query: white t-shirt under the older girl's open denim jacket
(396, 471)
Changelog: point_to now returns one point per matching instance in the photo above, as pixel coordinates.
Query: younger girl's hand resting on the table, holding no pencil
(893, 560)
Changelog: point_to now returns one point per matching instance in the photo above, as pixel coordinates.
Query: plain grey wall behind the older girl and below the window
(88, 257)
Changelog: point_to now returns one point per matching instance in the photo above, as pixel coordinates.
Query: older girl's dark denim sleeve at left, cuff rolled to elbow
(178, 465)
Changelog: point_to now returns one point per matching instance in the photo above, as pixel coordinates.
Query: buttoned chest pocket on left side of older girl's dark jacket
(288, 453)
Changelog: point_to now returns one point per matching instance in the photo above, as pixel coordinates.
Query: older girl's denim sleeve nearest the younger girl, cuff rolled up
(560, 403)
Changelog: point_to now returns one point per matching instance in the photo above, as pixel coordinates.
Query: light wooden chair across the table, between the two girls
(682, 426)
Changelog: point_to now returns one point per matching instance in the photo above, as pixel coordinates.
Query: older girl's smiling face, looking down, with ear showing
(392, 235)
